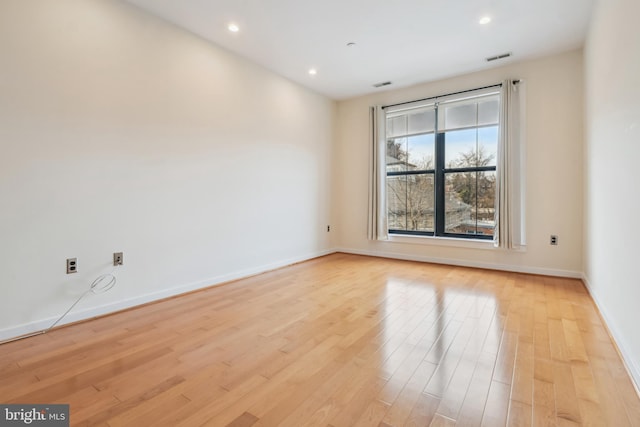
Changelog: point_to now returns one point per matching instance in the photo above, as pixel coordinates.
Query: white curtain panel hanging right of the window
(510, 229)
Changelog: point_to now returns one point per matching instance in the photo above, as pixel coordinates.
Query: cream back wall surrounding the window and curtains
(554, 93)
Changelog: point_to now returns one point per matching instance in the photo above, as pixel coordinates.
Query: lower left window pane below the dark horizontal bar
(410, 202)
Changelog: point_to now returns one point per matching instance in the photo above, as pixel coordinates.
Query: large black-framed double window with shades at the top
(441, 162)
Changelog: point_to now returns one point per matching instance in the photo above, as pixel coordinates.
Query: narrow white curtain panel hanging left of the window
(377, 219)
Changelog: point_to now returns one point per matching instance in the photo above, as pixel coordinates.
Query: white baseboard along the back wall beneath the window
(467, 263)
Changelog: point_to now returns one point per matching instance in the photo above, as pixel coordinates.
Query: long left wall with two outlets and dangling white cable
(119, 132)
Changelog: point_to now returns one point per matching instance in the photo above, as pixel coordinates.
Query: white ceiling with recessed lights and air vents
(402, 41)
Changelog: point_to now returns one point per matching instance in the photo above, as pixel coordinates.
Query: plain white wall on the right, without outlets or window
(612, 202)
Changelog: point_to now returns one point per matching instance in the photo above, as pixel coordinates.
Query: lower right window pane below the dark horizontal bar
(470, 203)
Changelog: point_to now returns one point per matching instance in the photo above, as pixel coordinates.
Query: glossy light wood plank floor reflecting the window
(338, 341)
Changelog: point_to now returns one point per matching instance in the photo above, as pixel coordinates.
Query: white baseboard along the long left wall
(35, 327)
